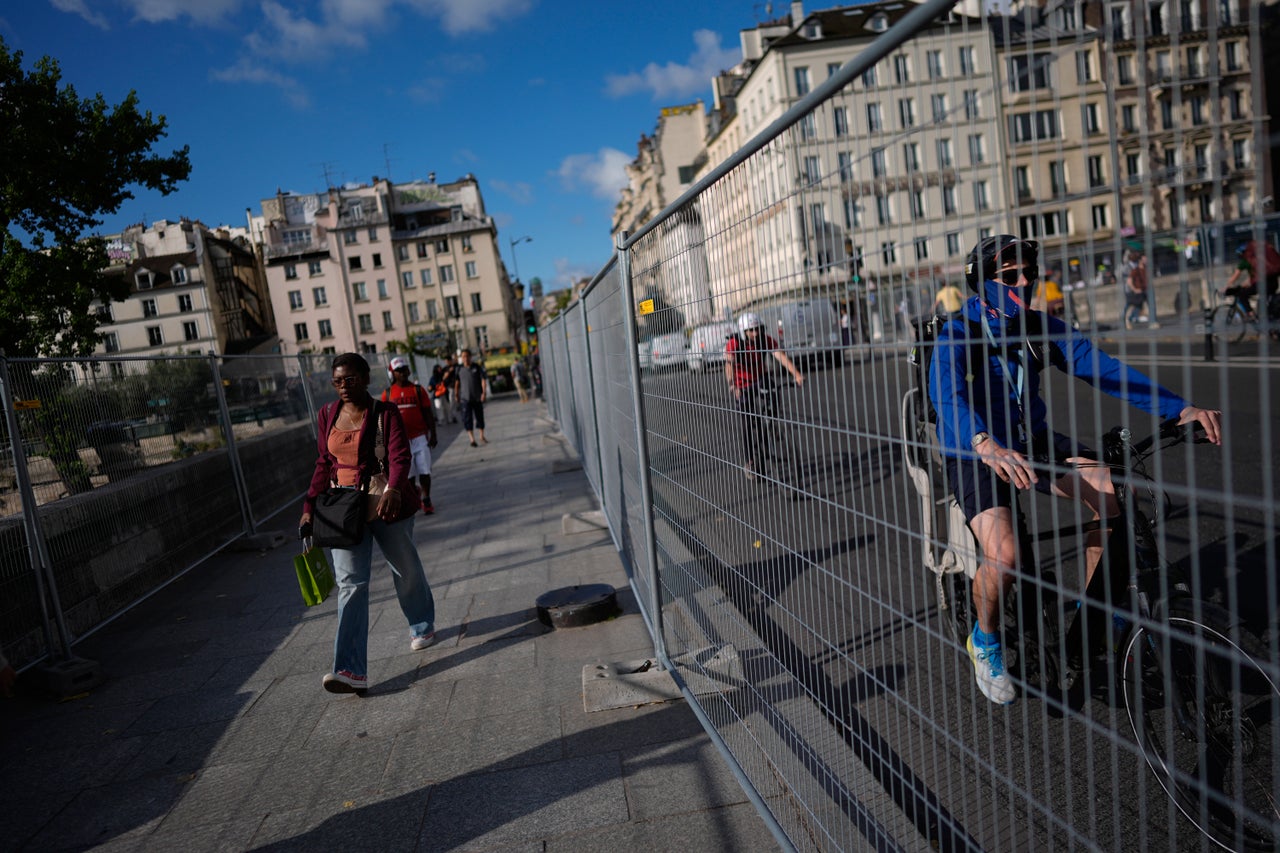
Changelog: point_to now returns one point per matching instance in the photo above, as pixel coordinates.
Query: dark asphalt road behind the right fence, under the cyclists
(834, 587)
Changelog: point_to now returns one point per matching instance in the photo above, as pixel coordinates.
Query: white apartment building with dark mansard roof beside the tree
(193, 289)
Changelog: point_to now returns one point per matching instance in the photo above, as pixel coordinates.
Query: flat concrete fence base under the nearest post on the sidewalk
(633, 683)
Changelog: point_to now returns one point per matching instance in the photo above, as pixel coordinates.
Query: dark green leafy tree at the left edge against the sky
(67, 162)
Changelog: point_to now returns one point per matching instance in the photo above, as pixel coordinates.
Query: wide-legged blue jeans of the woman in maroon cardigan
(353, 567)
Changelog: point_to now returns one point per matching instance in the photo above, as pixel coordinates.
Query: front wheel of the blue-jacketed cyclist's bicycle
(1205, 710)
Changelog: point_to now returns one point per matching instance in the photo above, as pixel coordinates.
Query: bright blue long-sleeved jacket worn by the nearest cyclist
(975, 399)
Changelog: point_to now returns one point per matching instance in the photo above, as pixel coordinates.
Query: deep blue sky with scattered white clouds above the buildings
(542, 101)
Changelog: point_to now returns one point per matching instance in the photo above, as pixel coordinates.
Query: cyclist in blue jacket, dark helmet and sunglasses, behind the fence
(991, 422)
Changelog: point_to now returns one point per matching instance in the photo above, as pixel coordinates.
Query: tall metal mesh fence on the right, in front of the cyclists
(811, 532)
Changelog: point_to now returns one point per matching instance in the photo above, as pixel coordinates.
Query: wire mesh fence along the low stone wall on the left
(120, 475)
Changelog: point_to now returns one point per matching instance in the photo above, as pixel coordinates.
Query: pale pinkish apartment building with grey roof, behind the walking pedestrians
(368, 268)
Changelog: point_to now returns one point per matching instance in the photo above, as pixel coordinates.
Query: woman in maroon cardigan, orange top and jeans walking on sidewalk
(346, 459)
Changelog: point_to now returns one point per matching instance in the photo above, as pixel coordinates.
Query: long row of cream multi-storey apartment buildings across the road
(1087, 126)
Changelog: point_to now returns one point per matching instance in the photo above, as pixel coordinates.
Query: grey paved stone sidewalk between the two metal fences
(213, 732)
